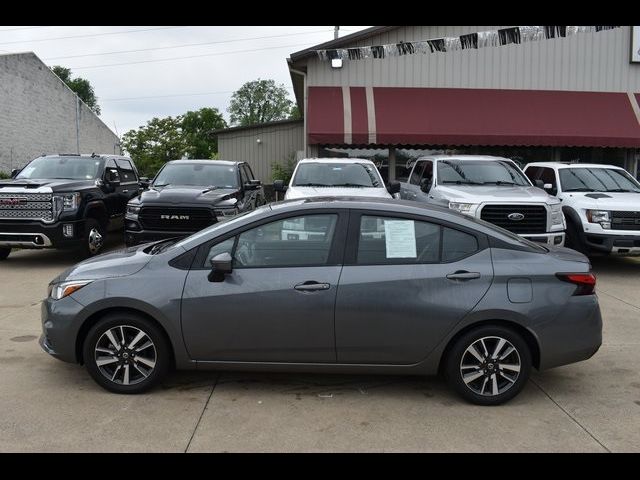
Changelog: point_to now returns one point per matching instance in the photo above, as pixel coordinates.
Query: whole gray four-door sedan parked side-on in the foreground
(330, 285)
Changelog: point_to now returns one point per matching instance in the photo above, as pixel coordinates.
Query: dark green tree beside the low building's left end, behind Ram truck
(196, 130)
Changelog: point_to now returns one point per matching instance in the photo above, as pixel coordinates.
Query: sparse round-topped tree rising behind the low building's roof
(259, 101)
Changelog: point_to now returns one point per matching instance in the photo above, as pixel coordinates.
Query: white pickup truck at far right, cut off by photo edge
(601, 204)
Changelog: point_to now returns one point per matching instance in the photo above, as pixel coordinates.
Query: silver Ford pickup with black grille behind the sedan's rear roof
(490, 188)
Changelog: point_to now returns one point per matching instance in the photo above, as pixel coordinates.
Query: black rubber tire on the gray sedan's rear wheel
(453, 367)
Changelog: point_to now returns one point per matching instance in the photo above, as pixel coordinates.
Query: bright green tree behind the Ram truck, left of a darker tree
(155, 143)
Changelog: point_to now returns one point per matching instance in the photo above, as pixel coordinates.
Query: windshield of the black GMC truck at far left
(71, 168)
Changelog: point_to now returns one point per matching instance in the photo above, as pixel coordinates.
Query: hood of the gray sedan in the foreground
(120, 263)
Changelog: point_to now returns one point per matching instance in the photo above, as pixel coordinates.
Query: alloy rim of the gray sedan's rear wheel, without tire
(490, 366)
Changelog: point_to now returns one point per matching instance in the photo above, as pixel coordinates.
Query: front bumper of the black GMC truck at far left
(36, 235)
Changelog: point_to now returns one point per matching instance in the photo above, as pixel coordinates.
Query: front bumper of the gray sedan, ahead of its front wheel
(60, 328)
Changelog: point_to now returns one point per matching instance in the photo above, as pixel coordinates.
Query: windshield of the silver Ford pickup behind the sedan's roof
(480, 172)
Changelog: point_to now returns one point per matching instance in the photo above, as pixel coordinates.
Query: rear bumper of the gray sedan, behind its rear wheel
(573, 336)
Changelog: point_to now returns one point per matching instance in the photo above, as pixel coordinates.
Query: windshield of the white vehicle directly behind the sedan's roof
(335, 174)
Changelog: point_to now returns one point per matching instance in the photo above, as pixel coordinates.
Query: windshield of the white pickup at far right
(597, 180)
